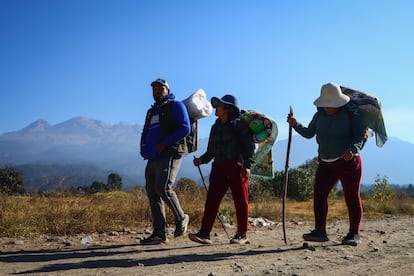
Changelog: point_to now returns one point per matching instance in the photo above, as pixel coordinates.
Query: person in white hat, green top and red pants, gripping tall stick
(340, 136)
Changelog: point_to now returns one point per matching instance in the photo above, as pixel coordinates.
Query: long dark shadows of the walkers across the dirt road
(108, 260)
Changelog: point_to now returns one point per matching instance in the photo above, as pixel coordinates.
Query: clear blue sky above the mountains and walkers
(96, 58)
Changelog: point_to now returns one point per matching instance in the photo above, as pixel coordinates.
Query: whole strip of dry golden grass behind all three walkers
(29, 216)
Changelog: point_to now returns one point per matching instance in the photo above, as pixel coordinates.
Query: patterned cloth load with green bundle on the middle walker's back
(264, 132)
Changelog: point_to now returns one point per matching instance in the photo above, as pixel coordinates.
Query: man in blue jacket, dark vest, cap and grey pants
(162, 144)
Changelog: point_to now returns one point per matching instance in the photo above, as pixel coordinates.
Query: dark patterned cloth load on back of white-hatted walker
(369, 107)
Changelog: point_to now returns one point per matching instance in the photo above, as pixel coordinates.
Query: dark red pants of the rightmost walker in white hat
(327, 175)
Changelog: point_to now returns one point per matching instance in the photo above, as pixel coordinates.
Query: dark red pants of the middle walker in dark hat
(224, 175)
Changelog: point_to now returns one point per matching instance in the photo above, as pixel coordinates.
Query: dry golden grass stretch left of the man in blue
(67, 215)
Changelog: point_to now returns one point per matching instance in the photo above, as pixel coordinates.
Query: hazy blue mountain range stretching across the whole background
(93, 149)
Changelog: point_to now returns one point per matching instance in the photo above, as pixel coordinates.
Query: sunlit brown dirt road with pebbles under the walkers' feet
(387, 248)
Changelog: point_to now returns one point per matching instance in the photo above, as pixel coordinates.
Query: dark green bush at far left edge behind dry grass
(11, 181)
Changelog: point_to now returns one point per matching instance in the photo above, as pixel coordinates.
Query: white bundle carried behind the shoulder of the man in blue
(197, 105)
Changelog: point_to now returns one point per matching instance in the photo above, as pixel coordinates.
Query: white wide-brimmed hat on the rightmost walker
(331, 96)
